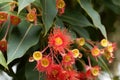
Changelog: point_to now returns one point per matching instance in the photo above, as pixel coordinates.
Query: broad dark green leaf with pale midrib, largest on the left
(21, 39)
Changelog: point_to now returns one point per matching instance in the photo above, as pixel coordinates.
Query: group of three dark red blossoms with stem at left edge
(14, 20)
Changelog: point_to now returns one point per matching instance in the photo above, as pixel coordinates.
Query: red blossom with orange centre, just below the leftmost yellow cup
(43, 64)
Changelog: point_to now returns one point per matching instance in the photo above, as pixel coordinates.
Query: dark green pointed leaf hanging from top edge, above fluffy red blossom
(49, 13)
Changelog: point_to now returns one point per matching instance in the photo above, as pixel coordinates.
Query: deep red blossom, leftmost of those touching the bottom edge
(53, 72)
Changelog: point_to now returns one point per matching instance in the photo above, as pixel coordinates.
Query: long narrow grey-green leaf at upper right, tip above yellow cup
(87, 6)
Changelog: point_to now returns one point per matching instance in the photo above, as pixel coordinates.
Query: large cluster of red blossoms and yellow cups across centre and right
(60, 62)
